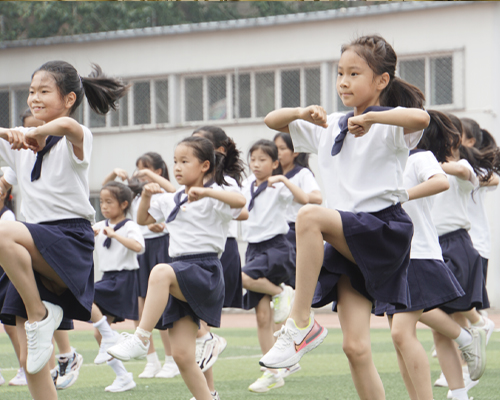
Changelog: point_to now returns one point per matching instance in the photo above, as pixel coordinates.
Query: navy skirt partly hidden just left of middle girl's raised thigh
(156, 252)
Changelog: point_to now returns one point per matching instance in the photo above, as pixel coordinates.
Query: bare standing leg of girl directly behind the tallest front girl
(404, 336)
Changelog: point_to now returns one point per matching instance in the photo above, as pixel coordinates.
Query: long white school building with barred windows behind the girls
(233, 73)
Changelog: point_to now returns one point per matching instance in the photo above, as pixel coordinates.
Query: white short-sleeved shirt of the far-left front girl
(62, 191)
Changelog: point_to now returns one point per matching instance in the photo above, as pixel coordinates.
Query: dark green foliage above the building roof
(26, 19)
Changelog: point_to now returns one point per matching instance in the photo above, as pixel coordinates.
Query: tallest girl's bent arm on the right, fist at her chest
(411, 119)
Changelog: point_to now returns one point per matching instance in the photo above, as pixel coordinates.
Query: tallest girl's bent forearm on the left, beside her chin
(279, 119)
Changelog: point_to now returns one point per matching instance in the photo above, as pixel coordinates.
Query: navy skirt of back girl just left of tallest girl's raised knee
(273, 259)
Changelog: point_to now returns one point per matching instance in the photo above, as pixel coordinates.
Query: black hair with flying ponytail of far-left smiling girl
(101, 91)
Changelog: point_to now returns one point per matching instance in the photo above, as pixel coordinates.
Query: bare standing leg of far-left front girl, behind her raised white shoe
(40, 384)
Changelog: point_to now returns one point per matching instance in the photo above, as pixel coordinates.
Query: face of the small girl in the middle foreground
(188, 169)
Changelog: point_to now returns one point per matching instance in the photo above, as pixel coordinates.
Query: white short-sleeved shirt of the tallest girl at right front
(367, 174)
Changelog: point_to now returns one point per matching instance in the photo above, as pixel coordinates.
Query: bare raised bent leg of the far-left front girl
(19, 257)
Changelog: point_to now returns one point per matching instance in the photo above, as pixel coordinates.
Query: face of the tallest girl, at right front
(357, 85)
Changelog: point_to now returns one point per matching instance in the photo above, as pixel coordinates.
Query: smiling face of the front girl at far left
(45, 100)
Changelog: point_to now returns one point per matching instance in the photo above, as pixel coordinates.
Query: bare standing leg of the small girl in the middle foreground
(183, 340)
